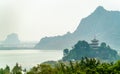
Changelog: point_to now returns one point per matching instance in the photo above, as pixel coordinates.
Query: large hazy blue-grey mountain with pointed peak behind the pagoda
(102, 23)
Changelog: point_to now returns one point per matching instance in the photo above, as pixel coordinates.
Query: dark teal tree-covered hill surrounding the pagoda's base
(83, 49)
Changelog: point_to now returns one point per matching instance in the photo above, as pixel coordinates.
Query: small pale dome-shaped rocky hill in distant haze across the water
(12, 39)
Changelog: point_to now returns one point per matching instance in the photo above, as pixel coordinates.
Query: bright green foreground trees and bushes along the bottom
(84, 66)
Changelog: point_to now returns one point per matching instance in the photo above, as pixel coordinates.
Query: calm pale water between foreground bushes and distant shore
(28, 58)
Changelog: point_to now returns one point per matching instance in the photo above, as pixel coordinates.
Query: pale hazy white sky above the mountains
(34, 19)
